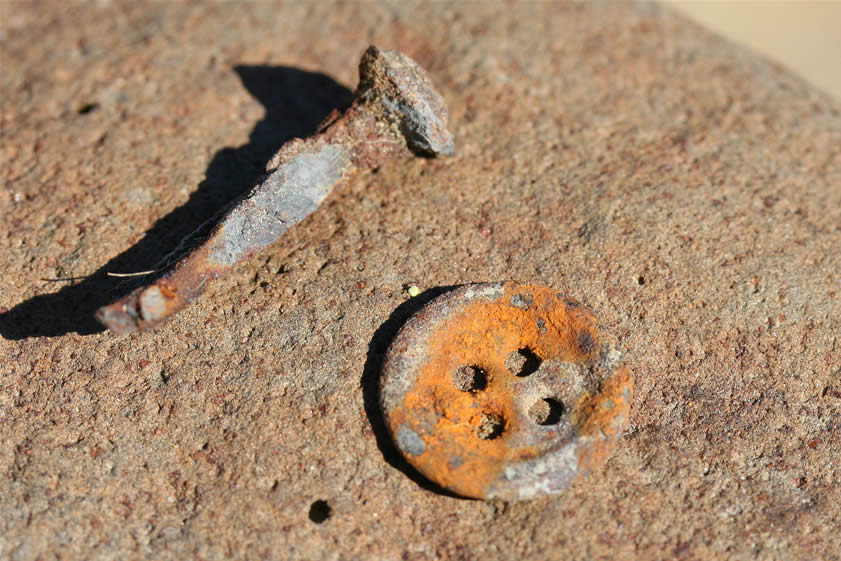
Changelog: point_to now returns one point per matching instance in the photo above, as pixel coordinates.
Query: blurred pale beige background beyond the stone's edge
(804, 35)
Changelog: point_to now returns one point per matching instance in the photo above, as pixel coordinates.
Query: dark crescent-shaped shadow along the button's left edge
(370, 383)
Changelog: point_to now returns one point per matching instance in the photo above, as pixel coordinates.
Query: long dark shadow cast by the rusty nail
(296, 102)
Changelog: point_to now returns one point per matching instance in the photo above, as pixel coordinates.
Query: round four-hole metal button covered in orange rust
(506, 391)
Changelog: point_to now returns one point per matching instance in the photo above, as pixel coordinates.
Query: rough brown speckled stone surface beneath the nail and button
(687, 191)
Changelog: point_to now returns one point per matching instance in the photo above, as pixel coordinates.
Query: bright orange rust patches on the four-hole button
(481, 332)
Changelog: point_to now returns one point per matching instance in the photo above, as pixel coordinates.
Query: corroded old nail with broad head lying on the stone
(396, 112)
